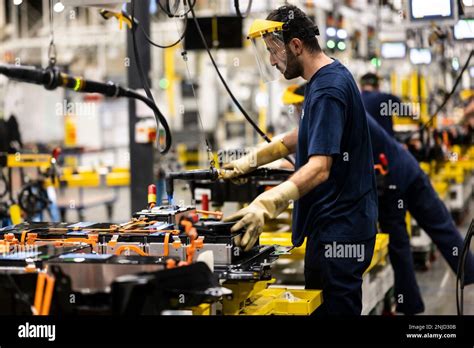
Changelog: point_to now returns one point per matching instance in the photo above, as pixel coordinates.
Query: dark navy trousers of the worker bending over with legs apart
(424, 205)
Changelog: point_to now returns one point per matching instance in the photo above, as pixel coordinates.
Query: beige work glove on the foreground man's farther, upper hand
(259, 156)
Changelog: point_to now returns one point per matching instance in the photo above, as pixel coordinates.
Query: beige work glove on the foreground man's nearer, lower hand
(268, 205)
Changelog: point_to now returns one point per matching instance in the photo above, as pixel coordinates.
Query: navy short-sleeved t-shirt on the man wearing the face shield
(334, 123)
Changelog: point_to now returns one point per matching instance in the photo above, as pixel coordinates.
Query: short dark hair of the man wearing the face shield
(297, 25)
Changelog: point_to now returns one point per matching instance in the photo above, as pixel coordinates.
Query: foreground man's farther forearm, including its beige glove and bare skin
(279, 148)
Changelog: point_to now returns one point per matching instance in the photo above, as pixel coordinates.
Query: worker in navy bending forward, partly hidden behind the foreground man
(408, 189)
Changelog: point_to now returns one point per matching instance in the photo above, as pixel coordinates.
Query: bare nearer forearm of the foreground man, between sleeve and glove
(313, 174)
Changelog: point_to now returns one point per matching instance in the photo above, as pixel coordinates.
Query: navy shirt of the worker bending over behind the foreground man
(402, 166)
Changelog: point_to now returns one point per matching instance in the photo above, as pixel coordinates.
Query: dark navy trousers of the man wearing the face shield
(339, 276)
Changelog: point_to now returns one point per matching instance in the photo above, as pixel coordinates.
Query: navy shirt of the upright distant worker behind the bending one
(375, 102)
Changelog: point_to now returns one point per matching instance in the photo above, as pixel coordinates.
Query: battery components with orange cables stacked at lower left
(145, 266)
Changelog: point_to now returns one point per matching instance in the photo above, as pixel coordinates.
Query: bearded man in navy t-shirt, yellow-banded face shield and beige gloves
(334, 185)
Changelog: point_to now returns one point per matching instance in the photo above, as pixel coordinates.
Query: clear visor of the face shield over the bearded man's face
(271, 55)
